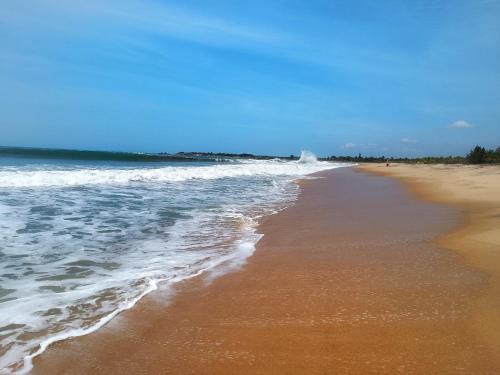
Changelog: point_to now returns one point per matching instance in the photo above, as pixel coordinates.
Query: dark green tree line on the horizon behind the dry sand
(478, 155)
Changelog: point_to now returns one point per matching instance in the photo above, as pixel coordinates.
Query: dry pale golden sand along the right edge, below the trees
(474, 191)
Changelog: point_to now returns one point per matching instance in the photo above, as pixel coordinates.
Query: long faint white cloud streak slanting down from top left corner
(129, 23)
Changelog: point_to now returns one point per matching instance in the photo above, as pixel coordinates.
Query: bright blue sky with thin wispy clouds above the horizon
(394, 78)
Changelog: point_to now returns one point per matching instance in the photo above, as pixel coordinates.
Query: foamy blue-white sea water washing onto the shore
(81, 241)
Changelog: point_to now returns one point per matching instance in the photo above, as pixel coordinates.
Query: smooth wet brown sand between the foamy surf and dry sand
(348, 280)
